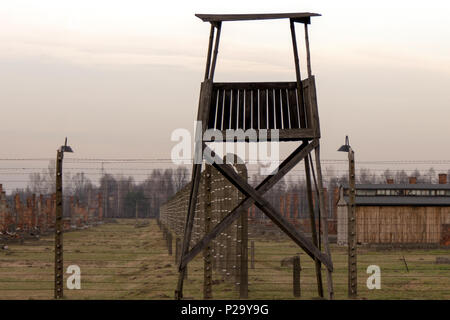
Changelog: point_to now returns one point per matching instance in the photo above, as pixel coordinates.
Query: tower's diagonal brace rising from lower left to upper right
(290, 162)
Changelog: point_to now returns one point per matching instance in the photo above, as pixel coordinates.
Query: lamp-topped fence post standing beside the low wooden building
(351, 219)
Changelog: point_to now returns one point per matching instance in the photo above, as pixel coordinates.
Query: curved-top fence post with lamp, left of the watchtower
(59, 288)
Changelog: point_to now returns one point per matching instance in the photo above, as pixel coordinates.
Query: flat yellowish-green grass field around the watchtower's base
(119, 261)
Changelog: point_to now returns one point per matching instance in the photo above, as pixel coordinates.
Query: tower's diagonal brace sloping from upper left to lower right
(265, 206)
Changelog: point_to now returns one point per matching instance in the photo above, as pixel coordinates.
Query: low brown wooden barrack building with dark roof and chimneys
(398, 213)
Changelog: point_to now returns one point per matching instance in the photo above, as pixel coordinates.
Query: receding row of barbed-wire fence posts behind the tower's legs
(227, 254)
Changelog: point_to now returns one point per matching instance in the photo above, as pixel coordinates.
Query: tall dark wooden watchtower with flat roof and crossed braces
(290, 107)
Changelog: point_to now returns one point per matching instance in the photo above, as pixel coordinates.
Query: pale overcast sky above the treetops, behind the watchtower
(117, 77)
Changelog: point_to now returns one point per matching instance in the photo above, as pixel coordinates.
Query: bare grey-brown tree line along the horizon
(123, 197)
